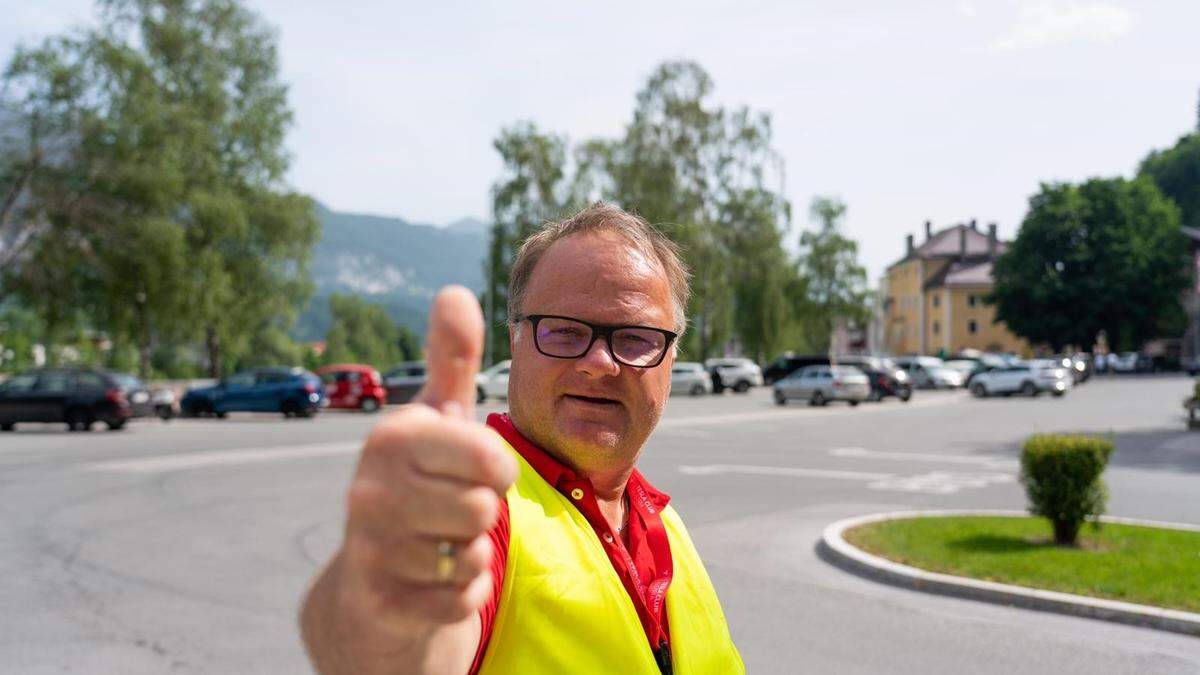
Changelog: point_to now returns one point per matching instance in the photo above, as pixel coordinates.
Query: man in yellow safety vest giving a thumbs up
(580, 566)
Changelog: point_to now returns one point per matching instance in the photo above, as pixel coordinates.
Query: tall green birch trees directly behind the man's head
(707, 175)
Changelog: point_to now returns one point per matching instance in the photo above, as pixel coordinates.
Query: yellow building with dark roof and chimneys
(933, 298)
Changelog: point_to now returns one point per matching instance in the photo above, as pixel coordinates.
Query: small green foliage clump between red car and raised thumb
(364, 333)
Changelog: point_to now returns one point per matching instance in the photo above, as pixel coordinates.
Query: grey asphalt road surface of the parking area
(185, 547)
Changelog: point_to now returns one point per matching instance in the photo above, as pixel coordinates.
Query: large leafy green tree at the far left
(167, 204)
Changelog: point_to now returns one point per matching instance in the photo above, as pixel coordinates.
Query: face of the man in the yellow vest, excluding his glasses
(592, 413)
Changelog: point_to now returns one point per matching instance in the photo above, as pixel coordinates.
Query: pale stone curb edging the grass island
(835, 549)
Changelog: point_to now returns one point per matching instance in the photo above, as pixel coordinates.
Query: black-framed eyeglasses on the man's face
(566, 338)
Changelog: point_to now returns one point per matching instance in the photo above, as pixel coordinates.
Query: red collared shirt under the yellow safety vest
(643, 559)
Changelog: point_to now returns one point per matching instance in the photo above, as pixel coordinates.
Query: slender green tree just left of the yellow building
(835, 284)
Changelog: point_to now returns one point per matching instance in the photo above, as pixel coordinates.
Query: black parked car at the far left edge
(77, 398)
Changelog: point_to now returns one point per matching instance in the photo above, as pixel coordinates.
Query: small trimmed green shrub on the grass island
(1061, 475)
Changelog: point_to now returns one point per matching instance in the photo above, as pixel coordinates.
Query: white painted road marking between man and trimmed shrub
(934, 483)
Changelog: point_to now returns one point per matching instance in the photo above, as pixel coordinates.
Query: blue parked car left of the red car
(293, 392)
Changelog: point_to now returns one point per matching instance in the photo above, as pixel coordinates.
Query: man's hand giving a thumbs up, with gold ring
(429, 475)
